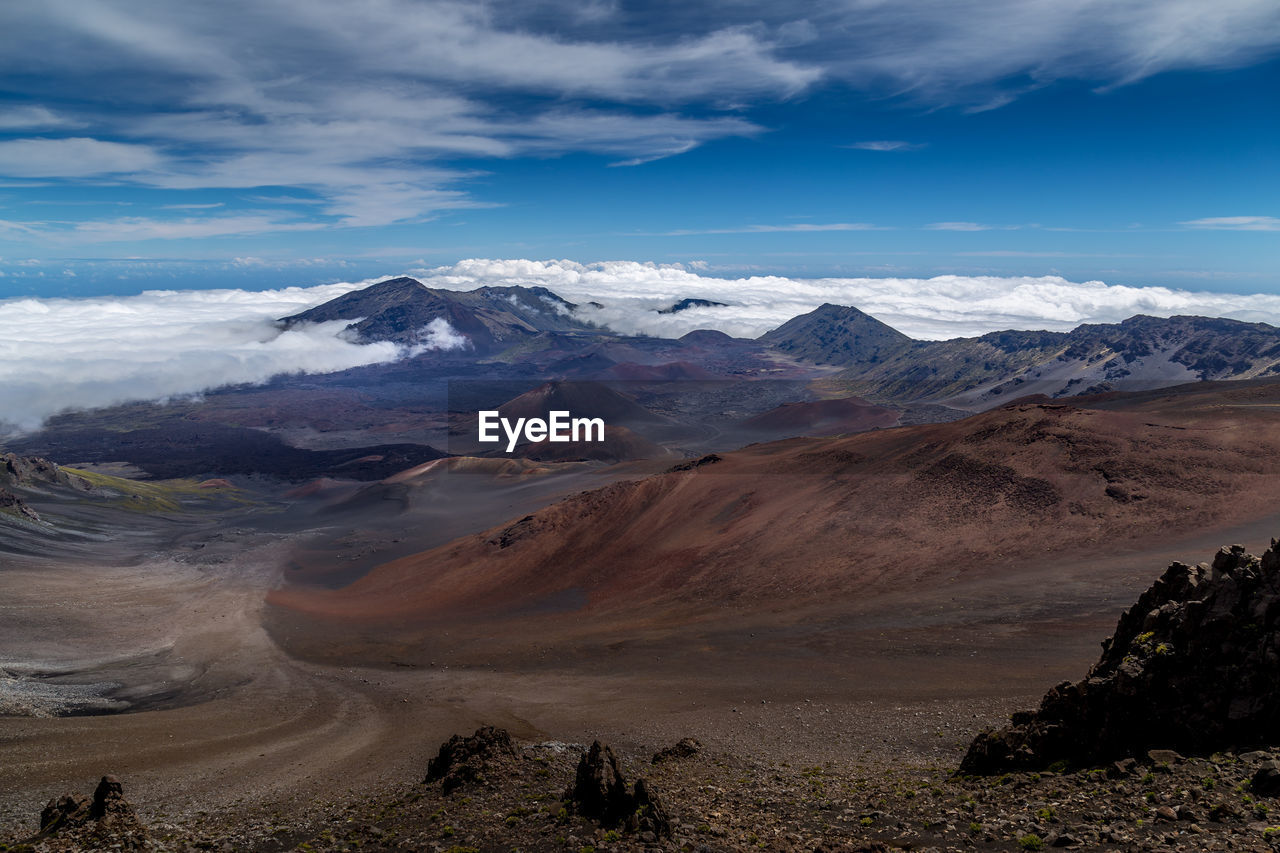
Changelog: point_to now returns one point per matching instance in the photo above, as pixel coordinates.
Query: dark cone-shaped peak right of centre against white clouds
(838, 335)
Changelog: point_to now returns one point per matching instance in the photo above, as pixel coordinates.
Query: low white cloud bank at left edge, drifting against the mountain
(83, 354)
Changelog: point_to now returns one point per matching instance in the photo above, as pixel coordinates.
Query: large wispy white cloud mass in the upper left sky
(355, 104)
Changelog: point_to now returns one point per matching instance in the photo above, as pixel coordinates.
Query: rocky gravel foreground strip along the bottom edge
(723, 801)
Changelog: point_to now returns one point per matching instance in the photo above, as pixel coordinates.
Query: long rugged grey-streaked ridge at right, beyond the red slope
(1140, 353)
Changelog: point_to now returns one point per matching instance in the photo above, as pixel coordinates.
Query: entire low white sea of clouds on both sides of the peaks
(60, 354)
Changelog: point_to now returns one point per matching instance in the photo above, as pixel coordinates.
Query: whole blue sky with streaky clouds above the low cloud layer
(158, 145)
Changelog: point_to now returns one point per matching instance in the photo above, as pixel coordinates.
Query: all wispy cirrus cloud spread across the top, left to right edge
(367, 108)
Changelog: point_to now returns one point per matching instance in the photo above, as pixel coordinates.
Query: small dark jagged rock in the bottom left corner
(103, 822)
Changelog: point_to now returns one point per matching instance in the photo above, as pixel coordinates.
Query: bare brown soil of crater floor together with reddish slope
(816, 601)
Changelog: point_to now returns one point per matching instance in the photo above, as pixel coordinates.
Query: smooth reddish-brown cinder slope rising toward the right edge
(817, 522)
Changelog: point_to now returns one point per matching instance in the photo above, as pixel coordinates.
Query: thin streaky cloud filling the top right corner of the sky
(968, 52)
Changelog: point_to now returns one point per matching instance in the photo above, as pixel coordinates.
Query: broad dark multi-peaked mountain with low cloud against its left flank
(403, 311)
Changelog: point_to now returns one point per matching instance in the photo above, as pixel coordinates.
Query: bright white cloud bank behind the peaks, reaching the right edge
(932, 309)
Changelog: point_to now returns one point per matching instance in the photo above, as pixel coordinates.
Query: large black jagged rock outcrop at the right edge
(1192, 667)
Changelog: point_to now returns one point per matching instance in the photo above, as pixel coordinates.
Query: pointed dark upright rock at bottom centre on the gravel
(601, 792)
